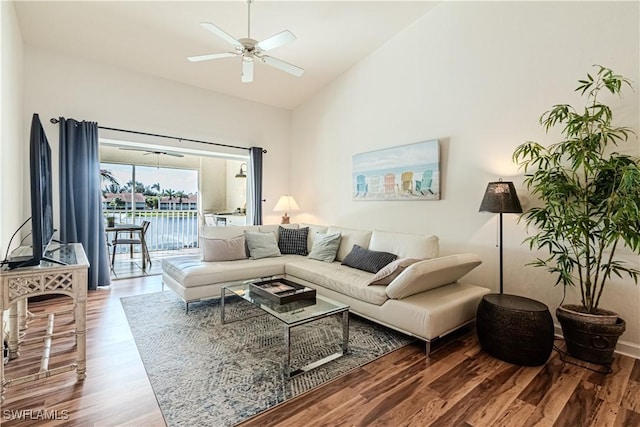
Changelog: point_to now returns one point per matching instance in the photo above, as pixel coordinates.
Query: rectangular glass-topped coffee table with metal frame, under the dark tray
(291, 315)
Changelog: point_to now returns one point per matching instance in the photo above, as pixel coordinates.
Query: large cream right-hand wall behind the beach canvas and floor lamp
(476, 76)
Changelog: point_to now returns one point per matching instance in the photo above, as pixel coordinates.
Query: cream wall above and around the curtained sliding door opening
(58, 85)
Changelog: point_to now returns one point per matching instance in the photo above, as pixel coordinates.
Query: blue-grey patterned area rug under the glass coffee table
(207, 373)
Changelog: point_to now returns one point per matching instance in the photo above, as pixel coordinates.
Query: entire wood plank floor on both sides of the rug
(458, 386)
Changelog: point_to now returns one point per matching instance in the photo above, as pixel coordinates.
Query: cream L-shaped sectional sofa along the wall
(425, 300)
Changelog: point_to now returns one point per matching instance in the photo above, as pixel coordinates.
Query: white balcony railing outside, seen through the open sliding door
(169, 229)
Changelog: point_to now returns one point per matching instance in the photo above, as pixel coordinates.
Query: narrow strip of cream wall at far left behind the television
(13, 145)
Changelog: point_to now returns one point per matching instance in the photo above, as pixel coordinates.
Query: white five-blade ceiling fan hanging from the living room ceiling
(250, 49)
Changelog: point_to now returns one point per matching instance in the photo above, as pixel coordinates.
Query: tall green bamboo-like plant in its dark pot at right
(590, 207)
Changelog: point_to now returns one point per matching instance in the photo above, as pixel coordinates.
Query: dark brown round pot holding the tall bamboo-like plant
(588, 337)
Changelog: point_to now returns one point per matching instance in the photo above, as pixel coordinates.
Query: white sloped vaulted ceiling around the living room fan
(156, 37)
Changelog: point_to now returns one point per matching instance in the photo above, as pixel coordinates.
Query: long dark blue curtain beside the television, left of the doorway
(81, 217)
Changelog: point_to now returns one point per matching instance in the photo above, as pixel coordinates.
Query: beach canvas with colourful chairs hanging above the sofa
(406, 172)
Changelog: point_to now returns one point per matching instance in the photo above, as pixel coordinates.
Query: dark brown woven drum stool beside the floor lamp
(515, 329)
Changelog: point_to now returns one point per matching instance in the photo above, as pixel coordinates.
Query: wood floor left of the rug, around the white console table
(116, 390)
